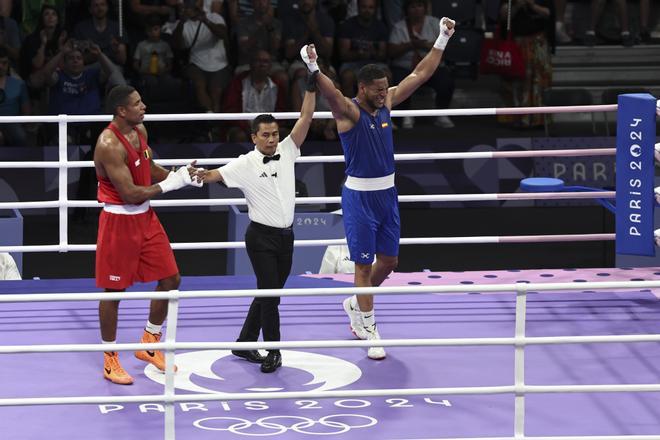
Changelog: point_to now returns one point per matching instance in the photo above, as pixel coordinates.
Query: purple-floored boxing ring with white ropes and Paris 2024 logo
(488, 355)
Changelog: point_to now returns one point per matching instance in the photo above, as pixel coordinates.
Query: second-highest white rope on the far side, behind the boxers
(577, 152)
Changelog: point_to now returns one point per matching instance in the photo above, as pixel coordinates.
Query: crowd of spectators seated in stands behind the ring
(61, 56)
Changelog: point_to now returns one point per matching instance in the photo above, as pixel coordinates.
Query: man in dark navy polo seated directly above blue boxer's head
(361, 40)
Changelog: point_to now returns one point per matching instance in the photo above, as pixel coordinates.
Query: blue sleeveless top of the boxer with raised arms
(369, 146)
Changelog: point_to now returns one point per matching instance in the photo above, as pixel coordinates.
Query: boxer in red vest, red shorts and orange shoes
(131, 245)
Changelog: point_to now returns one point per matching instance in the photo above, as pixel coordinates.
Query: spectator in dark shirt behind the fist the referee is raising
(307, 24)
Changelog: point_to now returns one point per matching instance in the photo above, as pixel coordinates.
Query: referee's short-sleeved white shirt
(269, 189)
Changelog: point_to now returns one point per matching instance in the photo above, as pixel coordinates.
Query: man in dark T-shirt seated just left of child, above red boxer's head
(102, 31)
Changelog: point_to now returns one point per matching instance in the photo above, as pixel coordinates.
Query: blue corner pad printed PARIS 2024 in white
(634, 174)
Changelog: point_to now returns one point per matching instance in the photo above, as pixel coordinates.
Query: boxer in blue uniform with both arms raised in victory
(369, 197)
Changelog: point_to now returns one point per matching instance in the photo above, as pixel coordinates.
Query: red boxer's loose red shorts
(132, 248)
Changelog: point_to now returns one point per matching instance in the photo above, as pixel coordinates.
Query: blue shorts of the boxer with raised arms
(372, 223)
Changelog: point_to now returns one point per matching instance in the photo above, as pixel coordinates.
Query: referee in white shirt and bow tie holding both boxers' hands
(266, 177)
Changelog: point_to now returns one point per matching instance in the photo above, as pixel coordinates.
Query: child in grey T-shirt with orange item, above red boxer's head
(153, 61)
